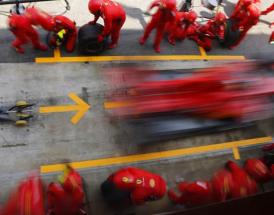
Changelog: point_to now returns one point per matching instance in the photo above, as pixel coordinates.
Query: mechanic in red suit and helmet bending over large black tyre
(114, 17)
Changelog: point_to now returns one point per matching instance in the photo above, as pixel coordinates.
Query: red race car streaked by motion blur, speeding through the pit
(165, 104)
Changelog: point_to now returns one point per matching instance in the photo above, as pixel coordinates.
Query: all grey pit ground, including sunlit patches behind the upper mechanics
(51, 138)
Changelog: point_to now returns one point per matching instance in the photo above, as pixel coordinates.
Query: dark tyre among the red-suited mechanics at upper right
(230, 35)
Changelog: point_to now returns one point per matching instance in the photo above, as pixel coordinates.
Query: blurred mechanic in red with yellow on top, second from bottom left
(67, 196)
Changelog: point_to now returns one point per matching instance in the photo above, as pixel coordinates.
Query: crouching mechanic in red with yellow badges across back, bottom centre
(133, 185)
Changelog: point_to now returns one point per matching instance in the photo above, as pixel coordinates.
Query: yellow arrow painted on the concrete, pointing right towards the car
(81, 107)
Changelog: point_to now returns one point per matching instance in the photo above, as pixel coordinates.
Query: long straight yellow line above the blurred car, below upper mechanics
(136, 58)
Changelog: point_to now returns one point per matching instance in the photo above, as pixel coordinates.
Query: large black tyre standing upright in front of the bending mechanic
(87, 39)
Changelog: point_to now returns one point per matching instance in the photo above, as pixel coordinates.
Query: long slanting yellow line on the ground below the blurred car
(156, 155)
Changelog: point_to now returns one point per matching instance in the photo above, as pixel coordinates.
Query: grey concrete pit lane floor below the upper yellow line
(51, 138)
